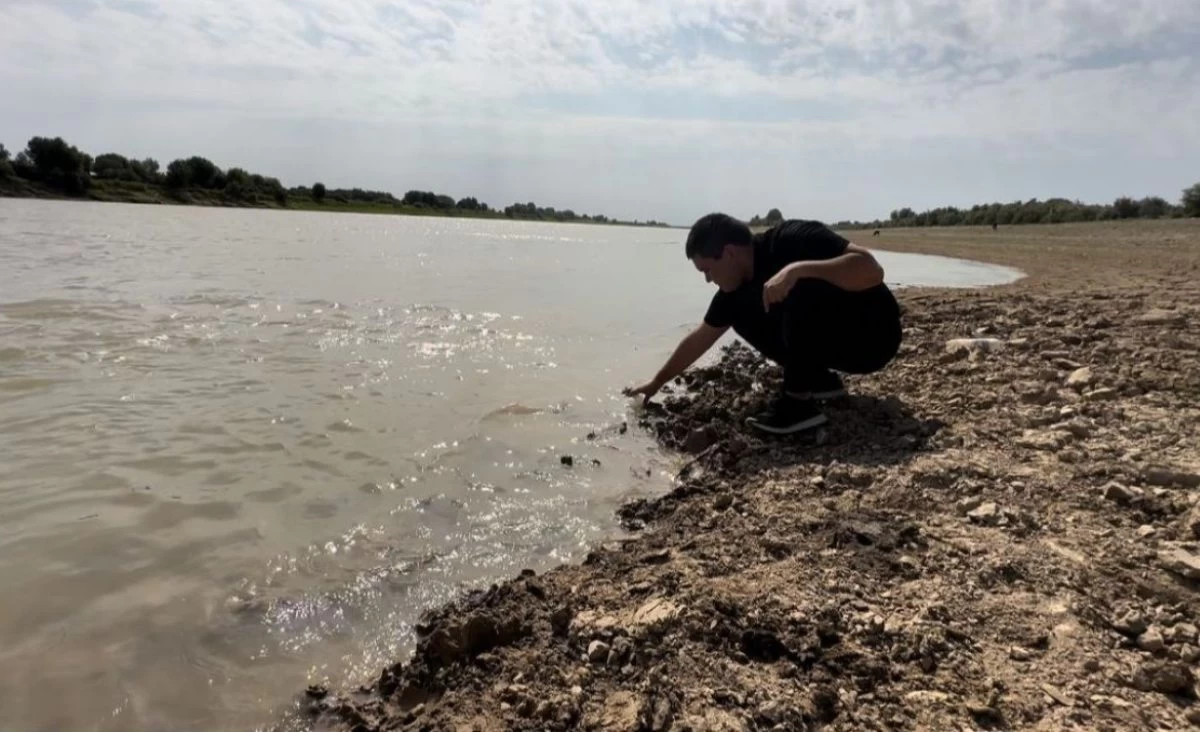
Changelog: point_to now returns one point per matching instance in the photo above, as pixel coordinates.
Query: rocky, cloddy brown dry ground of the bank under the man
(993, 533)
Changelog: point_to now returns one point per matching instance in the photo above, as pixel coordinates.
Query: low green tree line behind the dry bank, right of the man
(1054, 211)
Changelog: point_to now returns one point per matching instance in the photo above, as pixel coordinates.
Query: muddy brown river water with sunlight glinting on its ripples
(242, 451)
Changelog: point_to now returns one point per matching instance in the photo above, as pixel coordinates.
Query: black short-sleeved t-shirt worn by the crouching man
(773, 250)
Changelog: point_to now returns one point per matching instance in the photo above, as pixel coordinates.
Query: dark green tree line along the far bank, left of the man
(64, 169)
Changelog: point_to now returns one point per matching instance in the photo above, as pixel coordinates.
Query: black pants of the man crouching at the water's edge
(821, 327)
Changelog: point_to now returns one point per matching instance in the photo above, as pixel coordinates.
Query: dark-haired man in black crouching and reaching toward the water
(803, 297)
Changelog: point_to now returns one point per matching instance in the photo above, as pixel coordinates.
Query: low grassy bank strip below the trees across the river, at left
(109, 191)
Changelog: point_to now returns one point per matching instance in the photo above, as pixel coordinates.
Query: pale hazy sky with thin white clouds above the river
(827, 110)
